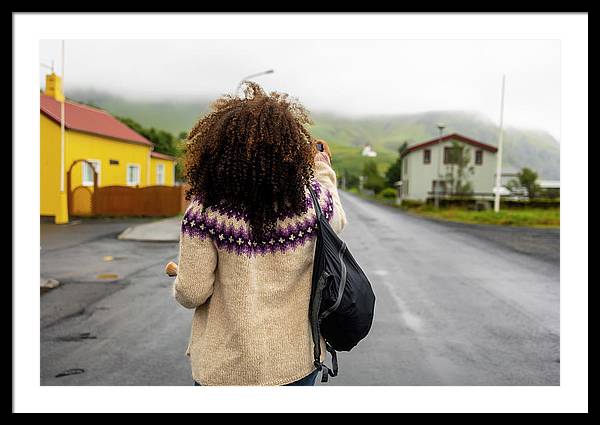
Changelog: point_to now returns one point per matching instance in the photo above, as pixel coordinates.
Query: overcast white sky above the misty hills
(355, 77)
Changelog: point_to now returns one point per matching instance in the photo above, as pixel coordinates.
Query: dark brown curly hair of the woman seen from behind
(252, 154)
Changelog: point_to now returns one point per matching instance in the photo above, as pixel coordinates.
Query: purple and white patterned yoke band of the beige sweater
(238, 240)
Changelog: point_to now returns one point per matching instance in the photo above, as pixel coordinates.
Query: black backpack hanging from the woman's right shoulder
(342, 301)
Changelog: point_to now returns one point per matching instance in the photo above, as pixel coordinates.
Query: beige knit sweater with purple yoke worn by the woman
(251, 298)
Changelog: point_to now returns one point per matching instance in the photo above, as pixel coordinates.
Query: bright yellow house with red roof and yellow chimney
(92, 137)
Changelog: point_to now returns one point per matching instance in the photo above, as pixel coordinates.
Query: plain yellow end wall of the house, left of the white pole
(49, 166)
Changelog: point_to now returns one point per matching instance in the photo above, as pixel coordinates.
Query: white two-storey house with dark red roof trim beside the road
(432, 166)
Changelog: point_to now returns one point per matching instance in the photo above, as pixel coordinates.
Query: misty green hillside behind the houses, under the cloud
(535, 149)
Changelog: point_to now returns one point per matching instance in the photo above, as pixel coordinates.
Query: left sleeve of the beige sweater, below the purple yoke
(196, 270)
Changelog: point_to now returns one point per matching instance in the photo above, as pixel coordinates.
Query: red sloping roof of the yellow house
(90, 120)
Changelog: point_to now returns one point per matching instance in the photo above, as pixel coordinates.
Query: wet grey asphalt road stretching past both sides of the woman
(456, 305)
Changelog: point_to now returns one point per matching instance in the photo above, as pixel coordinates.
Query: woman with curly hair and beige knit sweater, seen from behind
(247, 240)
